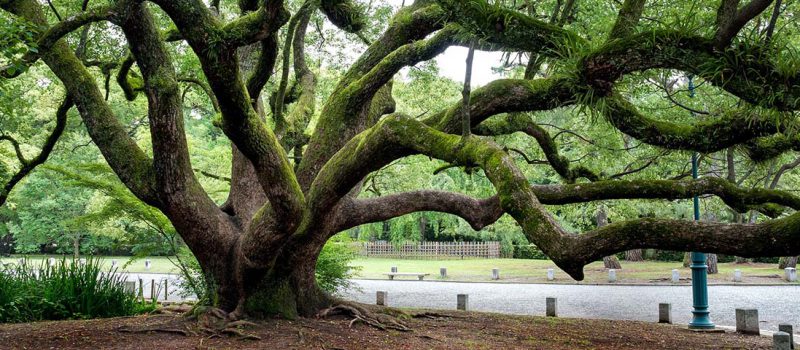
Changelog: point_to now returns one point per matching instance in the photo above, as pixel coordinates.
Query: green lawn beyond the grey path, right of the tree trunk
(535, 271)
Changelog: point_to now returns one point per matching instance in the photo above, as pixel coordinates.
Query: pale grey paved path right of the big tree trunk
(775, 304)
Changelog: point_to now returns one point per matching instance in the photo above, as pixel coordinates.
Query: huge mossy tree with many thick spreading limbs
(261, 245)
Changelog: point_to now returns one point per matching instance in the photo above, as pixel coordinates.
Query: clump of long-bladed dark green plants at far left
(67, 290)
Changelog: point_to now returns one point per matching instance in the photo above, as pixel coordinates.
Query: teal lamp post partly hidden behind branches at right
(700, 318)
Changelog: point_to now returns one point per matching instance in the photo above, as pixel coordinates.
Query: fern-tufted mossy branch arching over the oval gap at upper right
(744, 71)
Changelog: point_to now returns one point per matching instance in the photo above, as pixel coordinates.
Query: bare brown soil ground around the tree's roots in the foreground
(449, 330)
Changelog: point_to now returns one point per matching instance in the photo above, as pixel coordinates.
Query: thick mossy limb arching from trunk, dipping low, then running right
(397, 136)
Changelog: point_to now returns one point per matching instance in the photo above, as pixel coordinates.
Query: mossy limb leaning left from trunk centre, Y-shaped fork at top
(214, 43)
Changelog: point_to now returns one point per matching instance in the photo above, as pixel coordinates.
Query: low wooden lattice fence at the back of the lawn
(429, 250)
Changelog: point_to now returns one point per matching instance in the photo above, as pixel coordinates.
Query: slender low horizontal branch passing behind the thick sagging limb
(480, 213)
